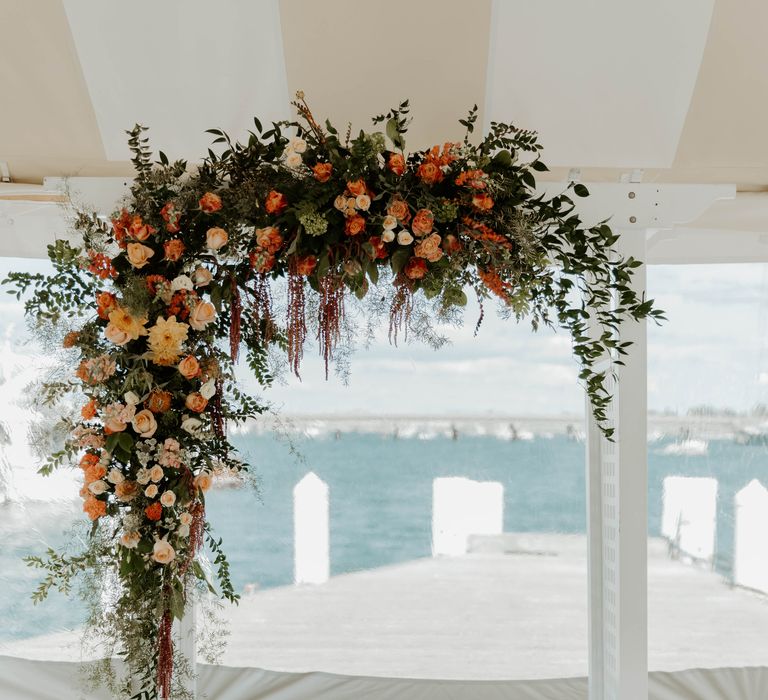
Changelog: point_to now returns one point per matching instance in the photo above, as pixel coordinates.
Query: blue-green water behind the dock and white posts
(381, 492)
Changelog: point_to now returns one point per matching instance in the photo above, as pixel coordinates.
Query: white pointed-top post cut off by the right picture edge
(750, 552)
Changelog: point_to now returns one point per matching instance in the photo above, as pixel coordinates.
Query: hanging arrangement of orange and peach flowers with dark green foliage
(156, 305)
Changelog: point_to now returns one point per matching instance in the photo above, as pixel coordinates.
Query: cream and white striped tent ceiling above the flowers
(680, 89)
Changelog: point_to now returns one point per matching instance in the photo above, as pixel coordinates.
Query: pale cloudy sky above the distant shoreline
(713, 350)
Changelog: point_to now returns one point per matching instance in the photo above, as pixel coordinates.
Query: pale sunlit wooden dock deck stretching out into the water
(490, 614)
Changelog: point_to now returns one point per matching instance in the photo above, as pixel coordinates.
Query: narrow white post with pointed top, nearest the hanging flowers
(311, 531)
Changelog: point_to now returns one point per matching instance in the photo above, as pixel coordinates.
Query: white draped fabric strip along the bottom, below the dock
(23, 679)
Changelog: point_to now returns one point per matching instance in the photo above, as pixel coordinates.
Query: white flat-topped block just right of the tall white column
(689, 516)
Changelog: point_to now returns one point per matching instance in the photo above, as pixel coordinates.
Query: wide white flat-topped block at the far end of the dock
(462, 507)
